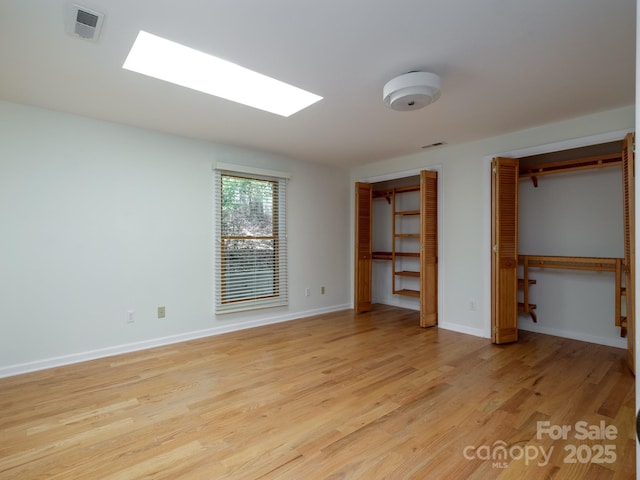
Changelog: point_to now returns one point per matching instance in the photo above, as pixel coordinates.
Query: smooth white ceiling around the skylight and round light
(505, 65)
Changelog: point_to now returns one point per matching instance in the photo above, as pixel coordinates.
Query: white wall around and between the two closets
(465, 208)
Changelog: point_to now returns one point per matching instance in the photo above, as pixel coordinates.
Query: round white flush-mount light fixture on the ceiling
(411, 91)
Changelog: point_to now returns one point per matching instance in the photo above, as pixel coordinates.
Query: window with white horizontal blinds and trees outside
(251, 247)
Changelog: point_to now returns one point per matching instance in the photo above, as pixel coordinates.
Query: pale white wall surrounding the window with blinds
(99, 218)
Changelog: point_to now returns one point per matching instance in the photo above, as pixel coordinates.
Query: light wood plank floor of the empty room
(338, 396)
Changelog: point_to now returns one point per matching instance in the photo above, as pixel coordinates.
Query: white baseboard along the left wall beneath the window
(44, 364)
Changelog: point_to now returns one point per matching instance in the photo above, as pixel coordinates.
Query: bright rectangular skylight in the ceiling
(172, 62)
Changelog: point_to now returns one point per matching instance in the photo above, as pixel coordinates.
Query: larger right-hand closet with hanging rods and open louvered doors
(562, 236)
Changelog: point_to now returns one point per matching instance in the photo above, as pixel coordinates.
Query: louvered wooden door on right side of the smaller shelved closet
(428, 248)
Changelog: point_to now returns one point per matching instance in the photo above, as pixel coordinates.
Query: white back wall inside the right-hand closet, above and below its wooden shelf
(573, 214)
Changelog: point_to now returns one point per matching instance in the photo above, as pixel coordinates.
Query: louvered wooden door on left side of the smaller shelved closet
(363, 248)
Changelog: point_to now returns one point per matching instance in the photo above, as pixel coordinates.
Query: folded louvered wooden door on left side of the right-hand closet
(504, 250)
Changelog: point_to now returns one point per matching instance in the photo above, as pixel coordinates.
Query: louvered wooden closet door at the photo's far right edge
(628, 212)
